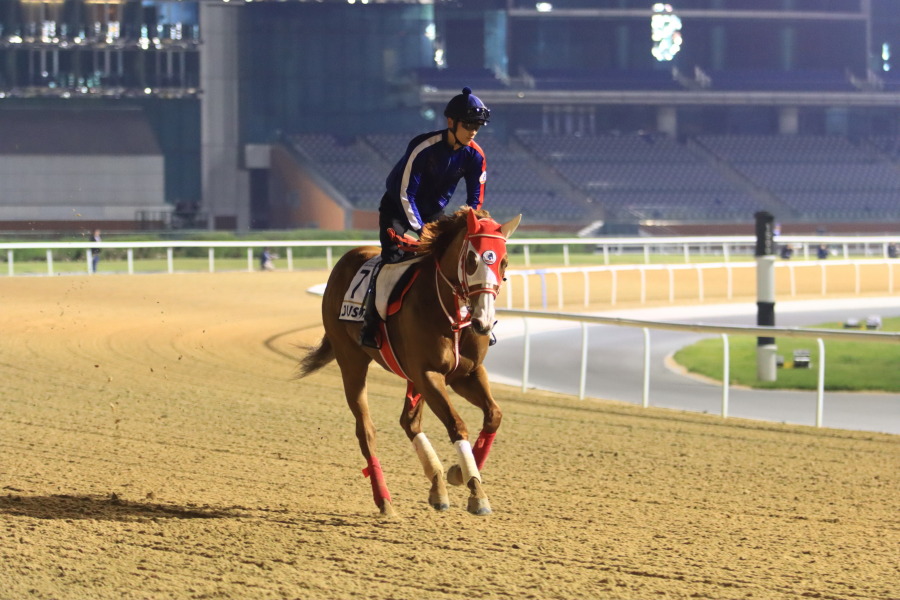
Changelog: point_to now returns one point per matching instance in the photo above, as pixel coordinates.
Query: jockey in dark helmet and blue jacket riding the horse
(421, 183)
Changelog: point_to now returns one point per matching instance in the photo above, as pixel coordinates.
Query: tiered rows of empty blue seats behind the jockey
(564, 181)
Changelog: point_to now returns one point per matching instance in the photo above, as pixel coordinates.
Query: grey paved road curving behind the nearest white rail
(615, 368)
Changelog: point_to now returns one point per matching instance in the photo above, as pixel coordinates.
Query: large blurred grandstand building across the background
(306, 105)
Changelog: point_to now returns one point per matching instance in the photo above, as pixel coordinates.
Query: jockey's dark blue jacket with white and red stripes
(423, 181)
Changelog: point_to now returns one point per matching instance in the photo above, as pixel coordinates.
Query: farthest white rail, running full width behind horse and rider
(686, 248)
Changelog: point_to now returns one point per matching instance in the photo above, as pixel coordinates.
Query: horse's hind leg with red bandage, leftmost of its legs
(355, 391)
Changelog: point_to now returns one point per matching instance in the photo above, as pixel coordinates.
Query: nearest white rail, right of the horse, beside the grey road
(818, 334)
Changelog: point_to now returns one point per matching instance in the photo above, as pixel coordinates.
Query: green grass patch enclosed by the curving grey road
(849, 366)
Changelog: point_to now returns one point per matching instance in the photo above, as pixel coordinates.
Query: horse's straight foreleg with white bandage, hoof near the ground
(435, 393)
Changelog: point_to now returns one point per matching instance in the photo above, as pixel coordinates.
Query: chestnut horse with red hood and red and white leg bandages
(438, 337)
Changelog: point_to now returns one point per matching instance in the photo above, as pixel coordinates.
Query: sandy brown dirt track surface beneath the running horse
(155, 445)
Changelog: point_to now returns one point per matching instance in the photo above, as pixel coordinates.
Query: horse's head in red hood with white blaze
(482, 265)
